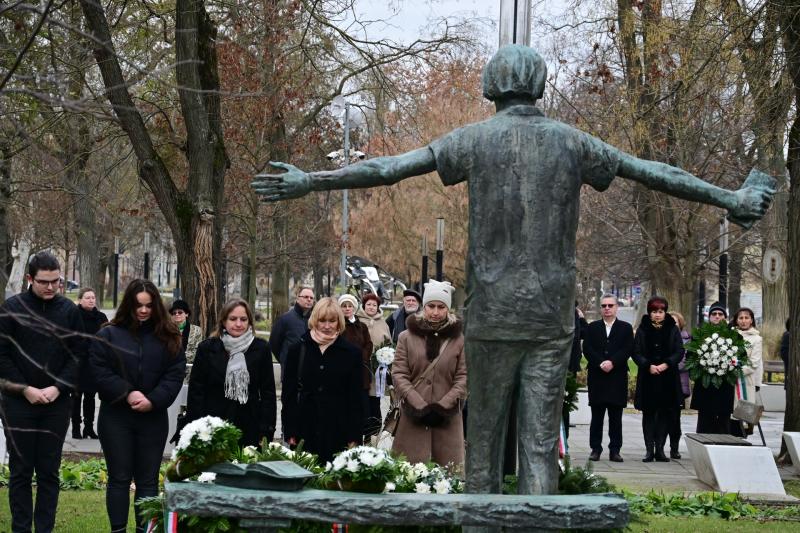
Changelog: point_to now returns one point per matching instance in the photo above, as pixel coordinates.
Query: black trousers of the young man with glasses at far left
(35, 438)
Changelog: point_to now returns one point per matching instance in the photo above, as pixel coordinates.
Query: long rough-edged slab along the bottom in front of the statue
(522, 513)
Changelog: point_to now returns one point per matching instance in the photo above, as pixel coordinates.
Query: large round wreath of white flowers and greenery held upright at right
(716, 355)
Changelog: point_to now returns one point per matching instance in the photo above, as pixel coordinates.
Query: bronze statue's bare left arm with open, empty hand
(388, 170)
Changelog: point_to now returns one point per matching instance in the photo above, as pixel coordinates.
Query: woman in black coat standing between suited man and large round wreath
(657, 350)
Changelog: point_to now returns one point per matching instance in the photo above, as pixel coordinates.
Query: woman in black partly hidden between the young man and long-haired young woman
(92, 319)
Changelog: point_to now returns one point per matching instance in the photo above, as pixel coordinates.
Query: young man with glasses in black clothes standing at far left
(39, 352)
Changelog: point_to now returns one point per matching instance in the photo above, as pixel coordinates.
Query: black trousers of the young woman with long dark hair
(133, 444)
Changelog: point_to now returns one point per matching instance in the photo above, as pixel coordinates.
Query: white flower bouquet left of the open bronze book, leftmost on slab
(203, 442)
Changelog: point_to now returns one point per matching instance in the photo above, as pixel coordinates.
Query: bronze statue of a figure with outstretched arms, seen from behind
(524, 172)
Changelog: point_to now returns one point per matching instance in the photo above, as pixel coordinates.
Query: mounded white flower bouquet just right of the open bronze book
(361, 469)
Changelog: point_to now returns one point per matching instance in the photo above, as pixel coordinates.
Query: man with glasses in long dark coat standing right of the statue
(607, 345)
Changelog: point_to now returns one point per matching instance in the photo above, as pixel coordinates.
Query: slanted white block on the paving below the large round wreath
(745, 469)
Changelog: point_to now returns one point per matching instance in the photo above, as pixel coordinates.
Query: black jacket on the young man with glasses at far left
(37, 347)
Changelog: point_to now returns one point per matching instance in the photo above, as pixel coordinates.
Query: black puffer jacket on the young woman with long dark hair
(123, 362)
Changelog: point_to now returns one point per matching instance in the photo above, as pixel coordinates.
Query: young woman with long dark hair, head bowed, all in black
(138, 366)
